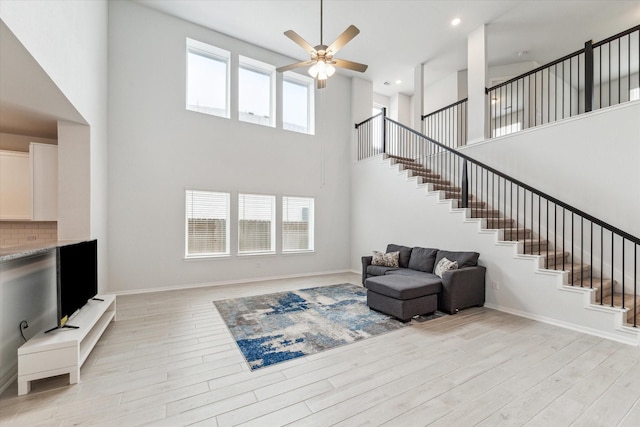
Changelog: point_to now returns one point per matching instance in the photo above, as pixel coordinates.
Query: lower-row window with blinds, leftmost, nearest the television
(207, 224)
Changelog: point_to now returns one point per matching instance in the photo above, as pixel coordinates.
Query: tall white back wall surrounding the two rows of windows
(158, 149)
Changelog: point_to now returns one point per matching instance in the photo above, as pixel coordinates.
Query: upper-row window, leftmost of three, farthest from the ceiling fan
(207, 79)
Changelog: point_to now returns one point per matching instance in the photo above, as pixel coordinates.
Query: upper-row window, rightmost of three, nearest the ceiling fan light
(297, 103)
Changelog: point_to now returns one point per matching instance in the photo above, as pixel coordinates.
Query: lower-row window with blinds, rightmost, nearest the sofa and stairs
(297, 224)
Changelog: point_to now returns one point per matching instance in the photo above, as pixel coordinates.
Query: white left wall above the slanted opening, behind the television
(69, 41)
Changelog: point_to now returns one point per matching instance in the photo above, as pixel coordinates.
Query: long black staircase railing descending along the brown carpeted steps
(595, 253)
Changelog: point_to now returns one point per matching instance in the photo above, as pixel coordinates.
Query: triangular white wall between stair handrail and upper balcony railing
(589, 161)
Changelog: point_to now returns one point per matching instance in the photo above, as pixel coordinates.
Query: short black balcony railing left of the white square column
(447, 125)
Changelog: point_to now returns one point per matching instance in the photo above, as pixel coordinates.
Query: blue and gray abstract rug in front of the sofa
(277, 327)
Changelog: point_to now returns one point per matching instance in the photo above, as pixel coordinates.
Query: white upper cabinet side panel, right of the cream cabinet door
(44, 181)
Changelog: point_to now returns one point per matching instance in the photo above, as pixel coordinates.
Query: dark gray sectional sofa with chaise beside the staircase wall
(412, 288)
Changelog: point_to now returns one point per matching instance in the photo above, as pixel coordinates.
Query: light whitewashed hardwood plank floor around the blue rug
(169, 360)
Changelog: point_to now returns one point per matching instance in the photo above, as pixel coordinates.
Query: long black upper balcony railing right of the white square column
(599, 75)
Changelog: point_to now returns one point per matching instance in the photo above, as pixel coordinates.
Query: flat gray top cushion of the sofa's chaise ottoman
(404, 287)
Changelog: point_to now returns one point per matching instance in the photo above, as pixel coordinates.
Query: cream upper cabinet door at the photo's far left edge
(15, 181)
